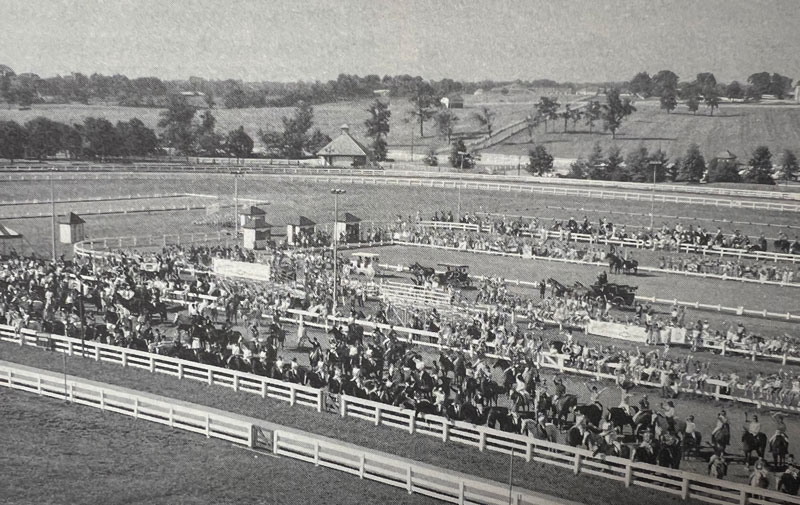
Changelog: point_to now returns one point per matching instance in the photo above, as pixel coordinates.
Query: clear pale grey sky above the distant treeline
(287, 40)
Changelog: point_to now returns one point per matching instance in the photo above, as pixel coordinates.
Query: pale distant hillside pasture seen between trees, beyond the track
(738, 128)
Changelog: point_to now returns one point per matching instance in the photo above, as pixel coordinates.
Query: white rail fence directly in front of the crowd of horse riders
(687, 485)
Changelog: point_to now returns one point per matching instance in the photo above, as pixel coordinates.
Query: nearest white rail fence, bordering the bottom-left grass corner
(409, 475)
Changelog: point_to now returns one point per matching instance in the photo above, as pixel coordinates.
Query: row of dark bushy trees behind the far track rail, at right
(640, 165)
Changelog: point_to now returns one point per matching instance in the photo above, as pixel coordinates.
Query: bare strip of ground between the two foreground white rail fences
(535, 476)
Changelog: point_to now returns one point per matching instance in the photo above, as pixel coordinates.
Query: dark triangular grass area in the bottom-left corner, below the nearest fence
(61, 453)
